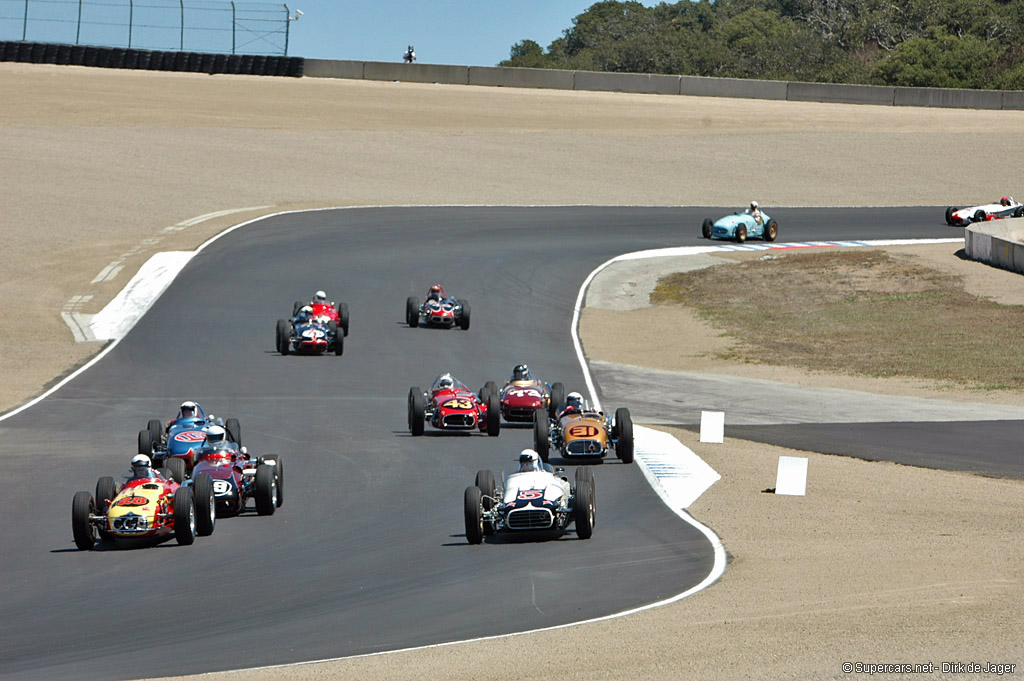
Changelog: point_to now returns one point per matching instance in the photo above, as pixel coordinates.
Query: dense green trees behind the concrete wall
(919, 44)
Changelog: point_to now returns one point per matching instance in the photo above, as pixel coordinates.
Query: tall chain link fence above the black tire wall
(199, 26)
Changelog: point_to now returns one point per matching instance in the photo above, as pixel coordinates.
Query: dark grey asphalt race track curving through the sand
(368, 552)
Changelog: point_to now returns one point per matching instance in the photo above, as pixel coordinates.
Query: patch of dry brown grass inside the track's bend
(859, 312)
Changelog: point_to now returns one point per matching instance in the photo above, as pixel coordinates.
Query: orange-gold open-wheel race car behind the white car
(582, 433)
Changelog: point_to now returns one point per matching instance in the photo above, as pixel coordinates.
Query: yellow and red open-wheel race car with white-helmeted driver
(148, 509)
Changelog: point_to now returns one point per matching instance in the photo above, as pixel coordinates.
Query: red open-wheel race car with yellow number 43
(451, 406)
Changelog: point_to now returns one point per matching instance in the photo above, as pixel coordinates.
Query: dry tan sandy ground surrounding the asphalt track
(880, 563)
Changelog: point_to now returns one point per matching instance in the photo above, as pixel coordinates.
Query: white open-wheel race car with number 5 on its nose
(533, 498)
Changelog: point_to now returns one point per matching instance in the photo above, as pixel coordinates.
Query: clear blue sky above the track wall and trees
(464, 32)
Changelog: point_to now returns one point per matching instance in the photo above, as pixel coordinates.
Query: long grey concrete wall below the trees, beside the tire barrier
(661, 84)
